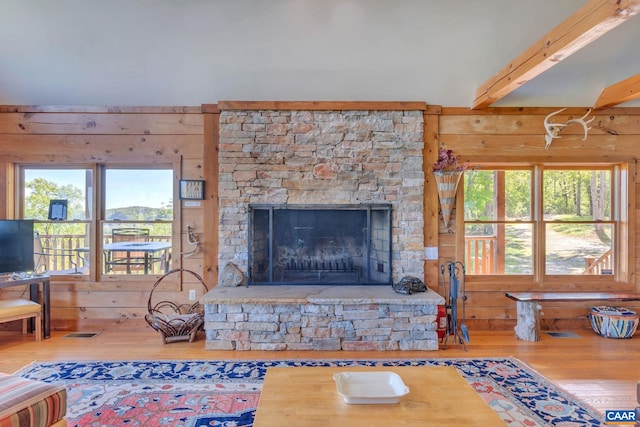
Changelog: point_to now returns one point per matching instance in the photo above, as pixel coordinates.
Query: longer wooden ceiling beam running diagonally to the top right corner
(586, 25)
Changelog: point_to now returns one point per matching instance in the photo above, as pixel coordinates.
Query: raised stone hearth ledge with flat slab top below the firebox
(319, 318)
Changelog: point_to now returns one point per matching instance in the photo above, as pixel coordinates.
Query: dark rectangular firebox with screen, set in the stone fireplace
(320, 244)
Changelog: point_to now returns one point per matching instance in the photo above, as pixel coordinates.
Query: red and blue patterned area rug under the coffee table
(198, 393)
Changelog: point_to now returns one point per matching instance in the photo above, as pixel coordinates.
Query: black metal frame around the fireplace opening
(367, 208)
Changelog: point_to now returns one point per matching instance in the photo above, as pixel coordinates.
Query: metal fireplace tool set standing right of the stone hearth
(456, 290)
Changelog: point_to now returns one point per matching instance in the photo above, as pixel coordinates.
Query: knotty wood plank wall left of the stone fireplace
(114, 135)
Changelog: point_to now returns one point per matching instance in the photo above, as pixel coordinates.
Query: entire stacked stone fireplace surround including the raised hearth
(315, 157)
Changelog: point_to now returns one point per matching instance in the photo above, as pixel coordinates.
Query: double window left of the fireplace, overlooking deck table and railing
(134, 223)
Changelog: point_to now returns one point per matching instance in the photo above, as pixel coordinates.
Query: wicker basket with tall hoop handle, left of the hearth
(175, 322)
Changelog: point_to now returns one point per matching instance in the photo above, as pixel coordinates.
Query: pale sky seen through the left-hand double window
(126, 187)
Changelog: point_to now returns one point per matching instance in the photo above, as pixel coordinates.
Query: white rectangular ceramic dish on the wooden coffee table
(370, 387)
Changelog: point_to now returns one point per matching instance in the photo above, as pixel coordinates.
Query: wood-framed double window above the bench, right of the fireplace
(542, 220)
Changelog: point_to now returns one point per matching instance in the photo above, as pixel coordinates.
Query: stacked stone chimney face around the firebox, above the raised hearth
(323, 157)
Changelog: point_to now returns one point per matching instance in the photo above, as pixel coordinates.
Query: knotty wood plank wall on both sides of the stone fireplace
(189, 135)
